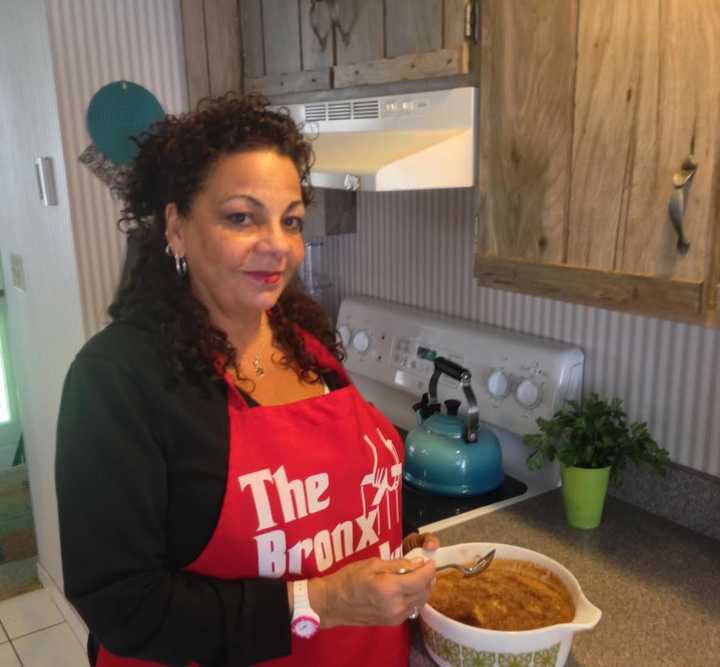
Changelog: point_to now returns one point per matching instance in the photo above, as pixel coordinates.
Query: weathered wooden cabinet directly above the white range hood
(280, 47)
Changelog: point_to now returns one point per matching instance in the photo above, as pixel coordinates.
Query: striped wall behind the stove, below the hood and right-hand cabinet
(416, 248)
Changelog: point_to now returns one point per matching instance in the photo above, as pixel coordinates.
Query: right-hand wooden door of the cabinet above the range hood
(410, 39)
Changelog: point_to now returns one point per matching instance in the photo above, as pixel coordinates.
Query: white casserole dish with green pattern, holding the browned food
(454, 644)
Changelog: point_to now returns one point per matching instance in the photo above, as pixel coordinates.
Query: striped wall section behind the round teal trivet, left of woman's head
(95, 42)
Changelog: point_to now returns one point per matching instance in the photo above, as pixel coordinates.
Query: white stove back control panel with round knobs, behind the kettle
(516, 377)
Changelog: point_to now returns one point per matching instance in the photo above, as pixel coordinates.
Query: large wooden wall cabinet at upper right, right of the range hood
(587, 111)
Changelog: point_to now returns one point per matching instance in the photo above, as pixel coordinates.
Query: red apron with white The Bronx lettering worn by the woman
(311, 486)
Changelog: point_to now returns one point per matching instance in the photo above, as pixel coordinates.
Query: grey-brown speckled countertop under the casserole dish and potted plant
(656, 582)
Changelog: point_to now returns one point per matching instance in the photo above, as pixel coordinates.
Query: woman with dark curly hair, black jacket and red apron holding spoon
(226, 496)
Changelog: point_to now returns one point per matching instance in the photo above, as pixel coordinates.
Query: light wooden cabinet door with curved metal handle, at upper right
(647, 95)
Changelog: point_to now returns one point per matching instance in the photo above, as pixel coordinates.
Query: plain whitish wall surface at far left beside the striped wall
(45, 322)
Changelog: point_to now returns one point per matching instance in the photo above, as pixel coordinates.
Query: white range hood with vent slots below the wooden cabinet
(413, 141)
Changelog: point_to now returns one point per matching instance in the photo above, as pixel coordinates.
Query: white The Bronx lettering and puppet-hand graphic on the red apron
(300, 498)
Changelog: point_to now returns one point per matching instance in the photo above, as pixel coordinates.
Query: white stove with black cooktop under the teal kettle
(516, 379)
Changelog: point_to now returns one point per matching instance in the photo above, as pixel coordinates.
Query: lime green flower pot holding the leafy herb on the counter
(584, 491)
